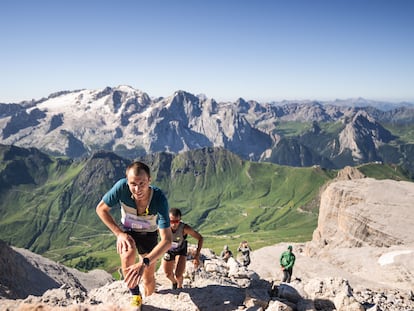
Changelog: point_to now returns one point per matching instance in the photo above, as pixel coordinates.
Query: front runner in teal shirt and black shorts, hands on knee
(144, 216)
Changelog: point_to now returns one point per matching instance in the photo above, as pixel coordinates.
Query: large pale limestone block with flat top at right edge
(359, 212)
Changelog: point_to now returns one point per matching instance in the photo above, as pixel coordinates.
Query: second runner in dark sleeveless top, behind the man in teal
(175, 258)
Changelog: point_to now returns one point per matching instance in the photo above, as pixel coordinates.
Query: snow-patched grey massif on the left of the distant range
(122, 118)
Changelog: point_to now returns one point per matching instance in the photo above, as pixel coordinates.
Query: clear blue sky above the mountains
(225, 49)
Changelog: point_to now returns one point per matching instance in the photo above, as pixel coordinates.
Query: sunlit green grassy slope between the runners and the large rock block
(246, 200)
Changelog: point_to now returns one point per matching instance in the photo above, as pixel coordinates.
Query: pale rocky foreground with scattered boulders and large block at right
(360, 258)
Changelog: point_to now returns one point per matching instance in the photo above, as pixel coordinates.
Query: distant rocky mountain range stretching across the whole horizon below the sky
(131, 123)
